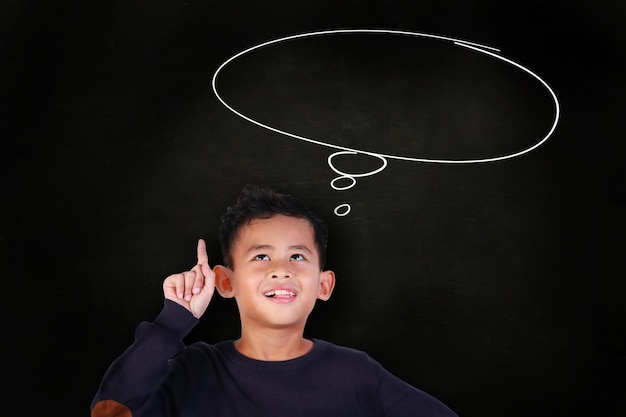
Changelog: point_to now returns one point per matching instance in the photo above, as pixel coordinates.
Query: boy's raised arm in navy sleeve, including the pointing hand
(133, 379)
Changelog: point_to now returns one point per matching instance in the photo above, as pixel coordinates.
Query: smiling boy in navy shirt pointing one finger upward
(273, 250)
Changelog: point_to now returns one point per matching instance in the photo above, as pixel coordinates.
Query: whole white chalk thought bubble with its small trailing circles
(388, 94)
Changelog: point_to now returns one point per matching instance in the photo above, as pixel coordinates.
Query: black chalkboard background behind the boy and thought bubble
(497, 287)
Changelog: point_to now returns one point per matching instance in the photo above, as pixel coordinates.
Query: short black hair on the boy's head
(264, 203)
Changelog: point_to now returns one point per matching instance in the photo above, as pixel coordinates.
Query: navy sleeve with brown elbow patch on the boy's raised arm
(130, 385)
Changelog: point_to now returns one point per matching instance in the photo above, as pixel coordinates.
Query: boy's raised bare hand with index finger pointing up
(192, 289)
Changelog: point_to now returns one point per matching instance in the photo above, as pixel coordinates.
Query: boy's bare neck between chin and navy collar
(273, 345)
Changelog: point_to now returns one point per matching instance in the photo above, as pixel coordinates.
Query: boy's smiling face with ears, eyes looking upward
(276, 277)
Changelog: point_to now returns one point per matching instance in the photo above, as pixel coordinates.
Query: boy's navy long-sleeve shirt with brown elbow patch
(159, 376)
